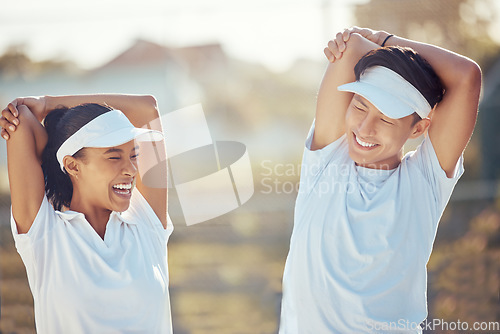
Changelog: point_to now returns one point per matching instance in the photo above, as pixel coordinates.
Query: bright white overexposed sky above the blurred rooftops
(91, 32)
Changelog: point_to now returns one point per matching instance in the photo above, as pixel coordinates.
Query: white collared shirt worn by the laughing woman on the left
(84, 284)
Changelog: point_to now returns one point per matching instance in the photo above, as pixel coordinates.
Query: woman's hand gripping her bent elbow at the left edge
(9, 119)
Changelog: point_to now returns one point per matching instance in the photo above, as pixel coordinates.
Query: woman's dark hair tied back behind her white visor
(60, 124)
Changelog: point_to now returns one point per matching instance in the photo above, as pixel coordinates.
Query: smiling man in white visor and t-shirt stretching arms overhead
(366, 214)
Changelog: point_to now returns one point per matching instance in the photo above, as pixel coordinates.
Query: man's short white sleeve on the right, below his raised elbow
(426, 160)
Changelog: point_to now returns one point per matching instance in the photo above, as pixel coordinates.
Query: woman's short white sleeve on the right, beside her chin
(141, 212)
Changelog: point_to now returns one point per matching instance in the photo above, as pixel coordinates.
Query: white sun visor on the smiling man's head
(389, 92)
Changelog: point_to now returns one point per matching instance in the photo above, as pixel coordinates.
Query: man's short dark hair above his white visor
(410, 65)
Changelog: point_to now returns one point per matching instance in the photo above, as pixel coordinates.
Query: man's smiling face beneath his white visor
(375, 140)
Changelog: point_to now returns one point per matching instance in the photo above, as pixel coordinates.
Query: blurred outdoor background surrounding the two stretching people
(255, 66)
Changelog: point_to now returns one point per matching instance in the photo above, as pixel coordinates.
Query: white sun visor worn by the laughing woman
(107, 130)
